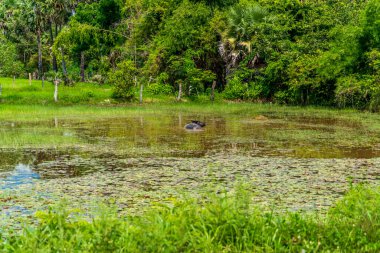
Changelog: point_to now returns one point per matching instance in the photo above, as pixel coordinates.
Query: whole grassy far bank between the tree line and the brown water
(21, 100)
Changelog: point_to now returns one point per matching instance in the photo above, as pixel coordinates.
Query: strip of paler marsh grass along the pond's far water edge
(24, 111)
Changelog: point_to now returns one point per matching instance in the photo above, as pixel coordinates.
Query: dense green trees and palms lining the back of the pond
(292, 52)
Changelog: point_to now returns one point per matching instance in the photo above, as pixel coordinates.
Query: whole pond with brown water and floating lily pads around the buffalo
(292, 162)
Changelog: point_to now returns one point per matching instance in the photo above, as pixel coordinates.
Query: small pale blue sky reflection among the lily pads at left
(22, 175)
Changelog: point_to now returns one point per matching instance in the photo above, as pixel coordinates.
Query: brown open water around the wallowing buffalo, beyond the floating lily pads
(74, 146)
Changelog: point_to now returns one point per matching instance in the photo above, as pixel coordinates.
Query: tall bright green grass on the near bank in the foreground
(222, 223)
